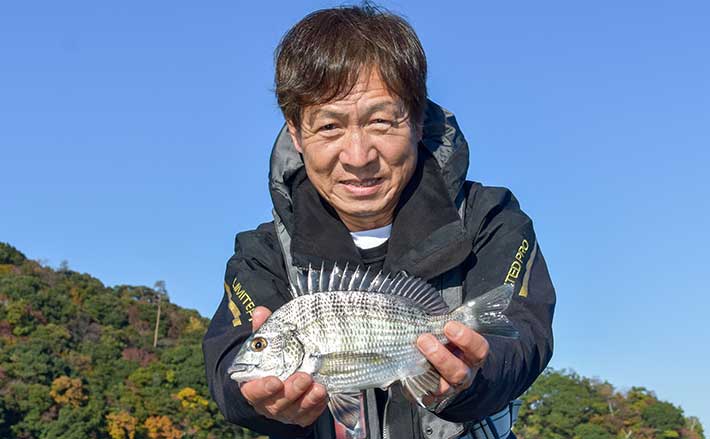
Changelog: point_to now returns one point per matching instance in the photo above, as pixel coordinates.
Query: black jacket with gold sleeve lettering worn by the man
(495, 245)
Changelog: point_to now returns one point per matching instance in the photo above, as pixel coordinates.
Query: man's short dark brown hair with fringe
(320, 59)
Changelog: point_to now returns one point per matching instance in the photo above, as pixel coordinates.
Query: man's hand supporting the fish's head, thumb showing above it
(298, 400)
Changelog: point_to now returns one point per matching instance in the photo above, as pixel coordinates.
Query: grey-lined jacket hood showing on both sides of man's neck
(441, 136)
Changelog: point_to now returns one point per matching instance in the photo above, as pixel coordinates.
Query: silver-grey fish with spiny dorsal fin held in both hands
(353, 329)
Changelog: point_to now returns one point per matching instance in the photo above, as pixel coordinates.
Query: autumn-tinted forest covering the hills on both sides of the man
(82, 360)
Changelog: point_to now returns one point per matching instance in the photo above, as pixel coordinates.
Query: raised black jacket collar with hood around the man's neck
(421, 243)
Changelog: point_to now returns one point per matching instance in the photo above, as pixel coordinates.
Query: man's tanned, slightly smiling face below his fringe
(359, 152)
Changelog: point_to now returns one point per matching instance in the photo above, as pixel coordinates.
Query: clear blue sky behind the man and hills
(135, 137)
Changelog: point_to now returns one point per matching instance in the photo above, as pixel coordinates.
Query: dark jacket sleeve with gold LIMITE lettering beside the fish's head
(254, 277)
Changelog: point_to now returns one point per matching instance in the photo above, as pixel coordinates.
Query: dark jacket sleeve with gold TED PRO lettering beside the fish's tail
(505, 250)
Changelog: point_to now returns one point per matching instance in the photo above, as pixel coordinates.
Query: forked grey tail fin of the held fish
(484, 314)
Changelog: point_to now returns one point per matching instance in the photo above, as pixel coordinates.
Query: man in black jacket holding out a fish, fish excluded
(368, 172)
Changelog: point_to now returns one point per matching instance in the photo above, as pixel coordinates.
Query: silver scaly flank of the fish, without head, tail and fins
(355, 322)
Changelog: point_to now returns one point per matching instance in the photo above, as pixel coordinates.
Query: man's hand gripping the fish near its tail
(457, 368)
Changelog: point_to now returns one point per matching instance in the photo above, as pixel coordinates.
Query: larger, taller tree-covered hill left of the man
(77, 360)
